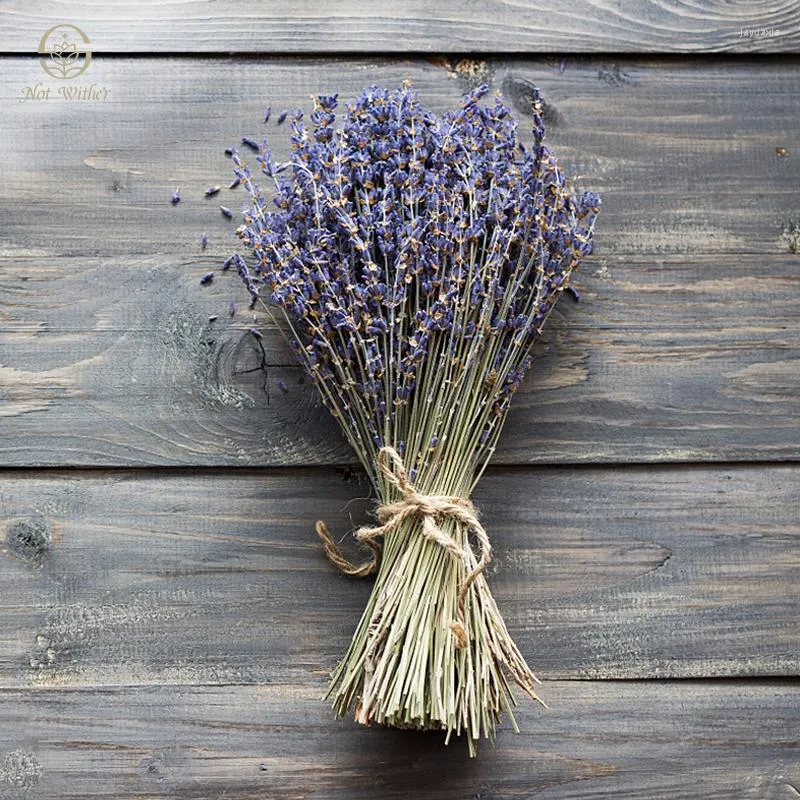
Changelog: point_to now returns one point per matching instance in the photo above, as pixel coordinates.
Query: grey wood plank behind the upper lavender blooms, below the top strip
(683, 152)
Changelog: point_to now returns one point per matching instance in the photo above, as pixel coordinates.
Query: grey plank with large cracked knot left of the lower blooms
(115, 362)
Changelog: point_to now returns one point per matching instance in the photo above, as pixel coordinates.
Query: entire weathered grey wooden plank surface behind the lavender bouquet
(167, 620)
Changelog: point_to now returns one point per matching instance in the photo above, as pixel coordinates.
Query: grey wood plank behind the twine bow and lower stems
(166, 577)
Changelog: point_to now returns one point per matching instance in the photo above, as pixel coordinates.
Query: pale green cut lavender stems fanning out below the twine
(404, 667)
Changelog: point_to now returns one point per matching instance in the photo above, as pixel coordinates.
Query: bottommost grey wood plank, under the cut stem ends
(678, 740)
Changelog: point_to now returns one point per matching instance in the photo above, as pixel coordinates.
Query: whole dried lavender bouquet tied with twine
(414, 260)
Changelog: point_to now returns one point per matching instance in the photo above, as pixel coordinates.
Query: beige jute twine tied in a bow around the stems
(430, 509)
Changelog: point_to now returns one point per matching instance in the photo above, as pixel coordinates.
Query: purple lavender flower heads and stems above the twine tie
(414, 254)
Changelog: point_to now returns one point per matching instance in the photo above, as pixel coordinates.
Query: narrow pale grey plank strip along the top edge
(500, 26)
